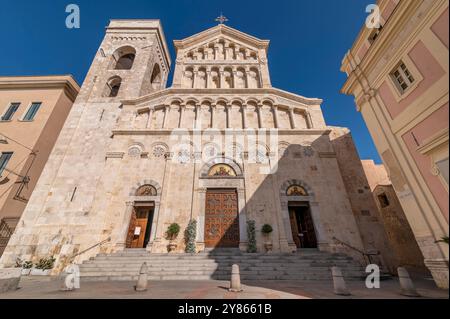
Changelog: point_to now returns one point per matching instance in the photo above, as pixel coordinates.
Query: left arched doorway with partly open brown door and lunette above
(140, 229)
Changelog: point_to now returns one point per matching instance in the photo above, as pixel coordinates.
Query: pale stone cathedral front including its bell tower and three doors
(221, 146)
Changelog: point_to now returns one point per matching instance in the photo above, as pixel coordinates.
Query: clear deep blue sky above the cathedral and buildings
(308, 41)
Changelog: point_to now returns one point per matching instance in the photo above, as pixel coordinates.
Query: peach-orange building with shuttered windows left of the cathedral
(33, 110)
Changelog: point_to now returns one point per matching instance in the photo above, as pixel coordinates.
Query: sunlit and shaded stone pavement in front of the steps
(47, 288)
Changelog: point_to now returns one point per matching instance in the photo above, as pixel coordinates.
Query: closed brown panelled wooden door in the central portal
(221, 219)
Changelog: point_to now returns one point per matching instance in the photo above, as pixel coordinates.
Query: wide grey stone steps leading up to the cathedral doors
(216, 265)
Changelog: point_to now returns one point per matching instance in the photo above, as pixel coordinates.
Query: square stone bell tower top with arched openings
(133, 60)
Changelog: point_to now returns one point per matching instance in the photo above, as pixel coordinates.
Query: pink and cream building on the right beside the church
(399, 75)
